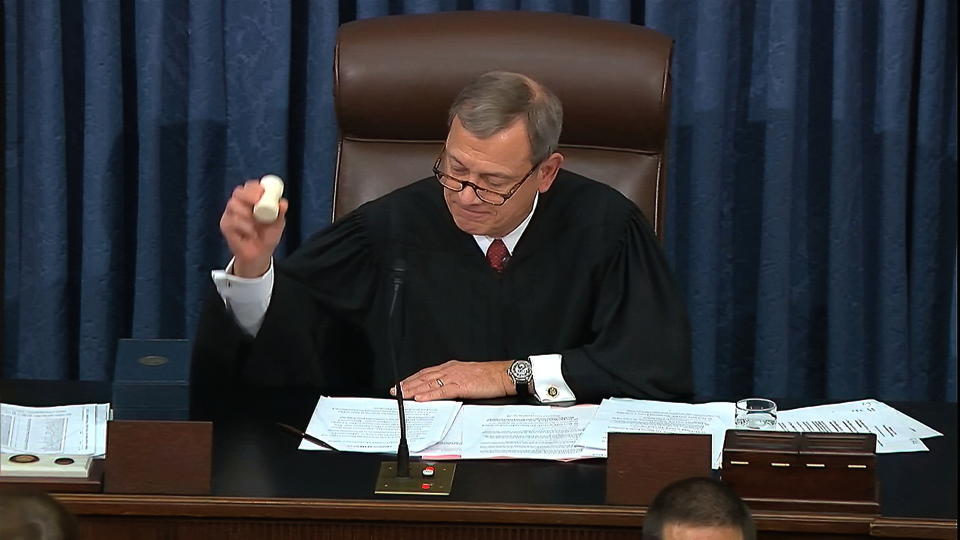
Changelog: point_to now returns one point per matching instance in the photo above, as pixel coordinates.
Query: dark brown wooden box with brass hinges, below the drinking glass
(828, 472)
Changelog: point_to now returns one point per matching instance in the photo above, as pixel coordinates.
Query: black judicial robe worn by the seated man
(587, 280)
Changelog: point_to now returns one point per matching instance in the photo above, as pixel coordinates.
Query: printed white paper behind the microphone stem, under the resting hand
(373, 425)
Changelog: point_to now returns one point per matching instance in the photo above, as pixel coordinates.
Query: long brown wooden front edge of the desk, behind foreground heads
(481, 513)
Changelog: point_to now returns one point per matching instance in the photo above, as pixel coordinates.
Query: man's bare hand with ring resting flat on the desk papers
(460, 380)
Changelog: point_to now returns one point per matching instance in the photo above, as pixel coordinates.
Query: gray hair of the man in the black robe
(496, 99)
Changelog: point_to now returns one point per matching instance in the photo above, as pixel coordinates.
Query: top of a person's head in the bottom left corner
(33, 515)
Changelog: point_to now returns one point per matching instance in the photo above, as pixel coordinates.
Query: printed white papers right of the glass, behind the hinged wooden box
(896, 432)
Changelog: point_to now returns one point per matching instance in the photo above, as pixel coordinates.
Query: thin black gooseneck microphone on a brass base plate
(395, 477)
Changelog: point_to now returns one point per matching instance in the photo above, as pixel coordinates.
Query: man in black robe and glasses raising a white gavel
(518, 276)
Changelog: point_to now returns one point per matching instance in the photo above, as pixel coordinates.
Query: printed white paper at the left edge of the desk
(67, 429)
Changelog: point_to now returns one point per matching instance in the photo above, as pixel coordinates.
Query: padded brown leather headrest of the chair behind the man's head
(397, 76)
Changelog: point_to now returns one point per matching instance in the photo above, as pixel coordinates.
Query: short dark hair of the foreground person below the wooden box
(700, 502)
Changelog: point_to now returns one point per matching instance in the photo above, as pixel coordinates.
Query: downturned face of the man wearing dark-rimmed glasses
(497, 163)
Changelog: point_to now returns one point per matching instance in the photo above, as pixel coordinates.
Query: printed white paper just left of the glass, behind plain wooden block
(642, 416)
